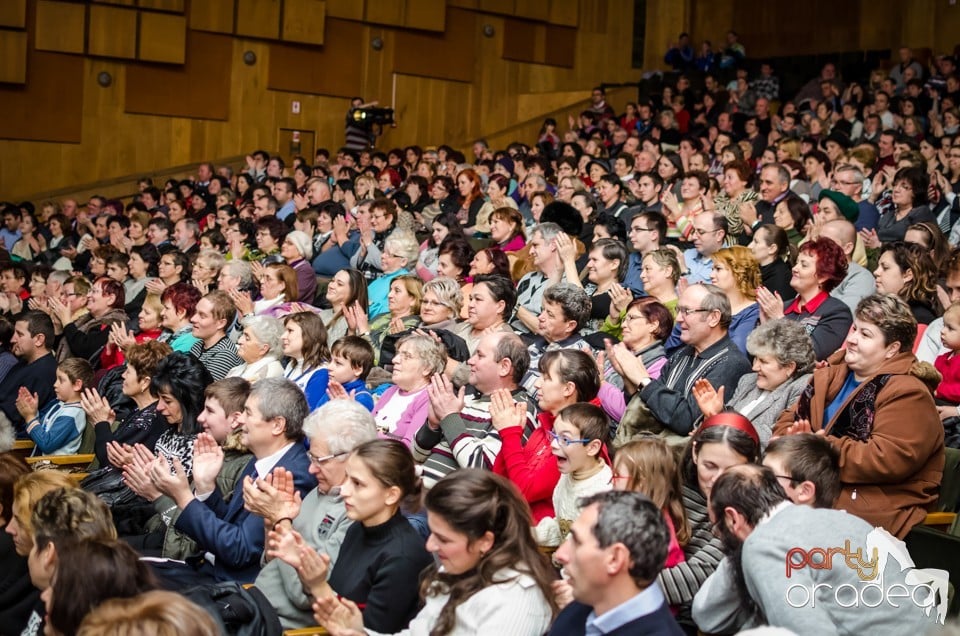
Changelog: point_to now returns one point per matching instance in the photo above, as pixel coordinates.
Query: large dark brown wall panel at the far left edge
(48, 108)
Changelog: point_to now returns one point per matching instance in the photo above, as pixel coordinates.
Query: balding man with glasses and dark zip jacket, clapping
(704, 315)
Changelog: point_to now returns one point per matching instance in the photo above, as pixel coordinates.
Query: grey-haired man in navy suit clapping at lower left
(271, 428)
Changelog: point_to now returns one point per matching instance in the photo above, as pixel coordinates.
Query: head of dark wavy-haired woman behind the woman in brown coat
(907, 270)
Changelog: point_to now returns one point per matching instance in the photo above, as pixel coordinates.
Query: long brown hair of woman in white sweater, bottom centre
(474, 502)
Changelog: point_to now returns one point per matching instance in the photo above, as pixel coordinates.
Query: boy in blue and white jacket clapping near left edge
(57, 428)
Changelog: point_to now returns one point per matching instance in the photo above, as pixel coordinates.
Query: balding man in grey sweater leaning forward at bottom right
(763, 530)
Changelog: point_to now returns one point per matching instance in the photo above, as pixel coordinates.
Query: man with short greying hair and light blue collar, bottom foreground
(615, 550)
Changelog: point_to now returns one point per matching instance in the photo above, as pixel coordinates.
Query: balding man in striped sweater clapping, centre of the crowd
(458, 432)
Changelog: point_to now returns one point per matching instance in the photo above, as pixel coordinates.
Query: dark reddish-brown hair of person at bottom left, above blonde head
(90, 572)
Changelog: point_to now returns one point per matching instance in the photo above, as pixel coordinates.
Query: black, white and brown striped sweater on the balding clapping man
(465, 439)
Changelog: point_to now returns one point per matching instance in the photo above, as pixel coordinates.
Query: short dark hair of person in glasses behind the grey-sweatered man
(809, 457)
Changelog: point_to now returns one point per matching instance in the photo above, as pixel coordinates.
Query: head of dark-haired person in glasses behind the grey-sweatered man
(808, 468)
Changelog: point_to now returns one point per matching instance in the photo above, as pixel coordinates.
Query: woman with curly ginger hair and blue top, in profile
(736, 272)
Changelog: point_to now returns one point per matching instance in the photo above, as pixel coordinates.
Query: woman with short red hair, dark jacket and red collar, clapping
(820, 267)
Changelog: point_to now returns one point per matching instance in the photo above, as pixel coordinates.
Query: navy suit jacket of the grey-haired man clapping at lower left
(231, 533)
